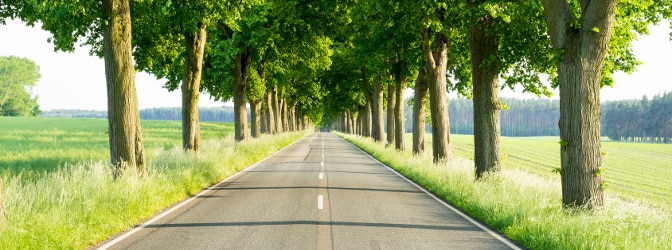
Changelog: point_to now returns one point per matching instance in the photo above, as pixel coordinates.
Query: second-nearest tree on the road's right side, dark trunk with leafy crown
(505, 39)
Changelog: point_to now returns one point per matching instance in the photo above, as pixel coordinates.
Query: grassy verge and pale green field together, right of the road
(523, 201)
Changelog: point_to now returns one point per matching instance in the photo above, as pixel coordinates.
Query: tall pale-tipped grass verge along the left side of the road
(77, 205)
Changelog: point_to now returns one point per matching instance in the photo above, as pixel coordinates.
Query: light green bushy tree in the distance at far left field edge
(17, 78)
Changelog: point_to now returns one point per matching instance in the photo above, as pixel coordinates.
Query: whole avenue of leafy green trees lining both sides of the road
(345, 62)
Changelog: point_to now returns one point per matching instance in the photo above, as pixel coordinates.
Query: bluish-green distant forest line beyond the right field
(645, 120)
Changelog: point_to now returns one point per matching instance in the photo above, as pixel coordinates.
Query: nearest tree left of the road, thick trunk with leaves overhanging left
(109, 21)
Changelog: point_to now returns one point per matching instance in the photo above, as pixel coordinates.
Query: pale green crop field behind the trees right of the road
(632, 170)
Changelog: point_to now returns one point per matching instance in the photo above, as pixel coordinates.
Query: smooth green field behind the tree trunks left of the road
(36, 145)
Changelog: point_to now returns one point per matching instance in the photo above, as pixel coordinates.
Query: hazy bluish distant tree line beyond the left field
(217, 114)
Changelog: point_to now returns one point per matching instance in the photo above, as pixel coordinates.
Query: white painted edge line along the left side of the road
(185, 202)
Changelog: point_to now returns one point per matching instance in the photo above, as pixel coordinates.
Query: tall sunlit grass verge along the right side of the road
(527, 207)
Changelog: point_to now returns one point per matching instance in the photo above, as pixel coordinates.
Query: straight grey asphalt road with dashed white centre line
(319, 193)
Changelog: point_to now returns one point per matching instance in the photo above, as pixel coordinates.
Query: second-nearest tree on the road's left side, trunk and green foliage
(170, 43)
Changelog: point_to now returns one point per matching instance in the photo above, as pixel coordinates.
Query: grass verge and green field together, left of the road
(58, 191)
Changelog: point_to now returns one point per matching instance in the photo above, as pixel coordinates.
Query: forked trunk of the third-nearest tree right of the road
(436, 61)
